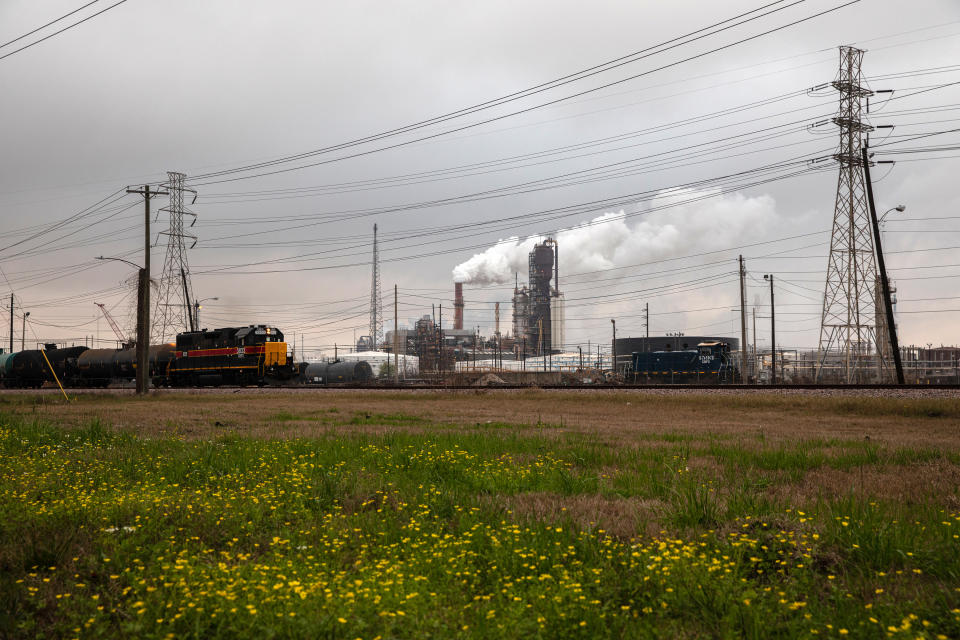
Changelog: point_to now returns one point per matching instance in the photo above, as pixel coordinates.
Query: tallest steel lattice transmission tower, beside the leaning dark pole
(848, 331)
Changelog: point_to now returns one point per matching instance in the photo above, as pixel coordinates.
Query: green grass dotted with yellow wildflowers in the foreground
(407, 535)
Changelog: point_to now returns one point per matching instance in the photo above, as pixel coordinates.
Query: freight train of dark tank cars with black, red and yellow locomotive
(252, 355)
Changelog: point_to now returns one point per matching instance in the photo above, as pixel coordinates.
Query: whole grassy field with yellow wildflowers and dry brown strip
(488, 514)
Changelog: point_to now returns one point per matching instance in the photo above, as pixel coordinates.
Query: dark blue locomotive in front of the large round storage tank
(709, 363)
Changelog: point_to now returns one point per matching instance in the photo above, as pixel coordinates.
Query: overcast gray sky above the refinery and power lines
(198, 87)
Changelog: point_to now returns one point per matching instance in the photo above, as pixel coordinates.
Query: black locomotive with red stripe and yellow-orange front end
(255, 354)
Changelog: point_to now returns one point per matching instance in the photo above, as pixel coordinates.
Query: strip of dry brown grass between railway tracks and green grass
(620, 417)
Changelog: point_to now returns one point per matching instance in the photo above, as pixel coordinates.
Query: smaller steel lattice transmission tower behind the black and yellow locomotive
(172, 313)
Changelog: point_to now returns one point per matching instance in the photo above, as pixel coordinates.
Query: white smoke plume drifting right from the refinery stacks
(688, 225)
